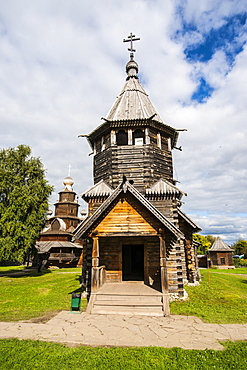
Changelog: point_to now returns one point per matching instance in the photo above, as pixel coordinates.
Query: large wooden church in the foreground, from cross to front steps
(138, 248)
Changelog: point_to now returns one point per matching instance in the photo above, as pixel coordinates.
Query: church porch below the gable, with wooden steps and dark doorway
(126, 276)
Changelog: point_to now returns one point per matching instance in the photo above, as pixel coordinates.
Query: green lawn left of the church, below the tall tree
(33, 295)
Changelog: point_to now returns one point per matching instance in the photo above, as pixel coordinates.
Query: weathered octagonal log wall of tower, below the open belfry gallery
(144, 164)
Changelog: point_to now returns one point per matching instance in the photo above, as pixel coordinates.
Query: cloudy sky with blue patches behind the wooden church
(62, 64)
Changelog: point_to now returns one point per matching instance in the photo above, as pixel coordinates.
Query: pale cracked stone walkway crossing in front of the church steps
(187, 332)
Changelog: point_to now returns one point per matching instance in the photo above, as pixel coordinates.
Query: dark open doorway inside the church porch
(133, 262)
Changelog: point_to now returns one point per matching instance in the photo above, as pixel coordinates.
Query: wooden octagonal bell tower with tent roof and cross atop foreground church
(133, 141)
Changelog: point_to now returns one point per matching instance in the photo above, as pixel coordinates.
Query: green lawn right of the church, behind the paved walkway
(220, 298)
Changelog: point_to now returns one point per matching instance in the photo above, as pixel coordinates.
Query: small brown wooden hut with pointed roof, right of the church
(220, 254)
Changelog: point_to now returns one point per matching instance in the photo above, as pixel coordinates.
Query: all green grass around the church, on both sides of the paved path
(221, 298)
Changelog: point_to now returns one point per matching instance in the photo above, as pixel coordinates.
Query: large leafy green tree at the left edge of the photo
(24, 194)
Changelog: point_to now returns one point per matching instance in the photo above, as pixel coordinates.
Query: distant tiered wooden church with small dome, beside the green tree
(55, 247)
